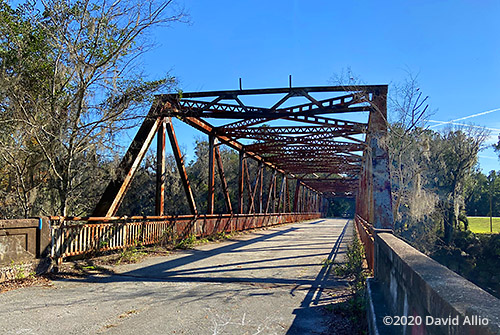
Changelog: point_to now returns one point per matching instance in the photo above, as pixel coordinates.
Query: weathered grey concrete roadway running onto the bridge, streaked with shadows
(268, 282)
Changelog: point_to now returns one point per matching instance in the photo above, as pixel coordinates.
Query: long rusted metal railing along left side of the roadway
(77, 236)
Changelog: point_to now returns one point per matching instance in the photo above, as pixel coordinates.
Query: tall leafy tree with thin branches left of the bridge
(70, 86)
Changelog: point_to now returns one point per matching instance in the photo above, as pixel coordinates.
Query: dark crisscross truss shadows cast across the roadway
(171, 270)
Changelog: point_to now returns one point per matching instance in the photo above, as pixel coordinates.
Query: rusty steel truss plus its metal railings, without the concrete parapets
(311, 145)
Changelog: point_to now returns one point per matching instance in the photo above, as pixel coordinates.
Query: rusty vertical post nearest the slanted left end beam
(160, 169)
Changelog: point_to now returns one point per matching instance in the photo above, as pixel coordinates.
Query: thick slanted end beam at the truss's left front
(115, 191)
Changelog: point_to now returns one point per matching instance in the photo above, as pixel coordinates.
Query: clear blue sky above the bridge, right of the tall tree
(453, 47)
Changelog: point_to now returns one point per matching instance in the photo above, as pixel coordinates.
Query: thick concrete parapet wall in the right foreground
(414, 286)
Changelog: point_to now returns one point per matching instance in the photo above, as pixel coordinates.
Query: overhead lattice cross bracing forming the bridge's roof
(316, 146)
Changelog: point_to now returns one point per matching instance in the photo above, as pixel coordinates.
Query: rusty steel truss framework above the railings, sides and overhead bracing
(309, 143)
